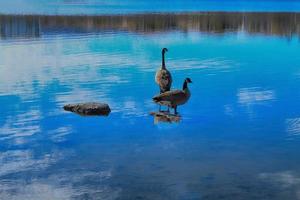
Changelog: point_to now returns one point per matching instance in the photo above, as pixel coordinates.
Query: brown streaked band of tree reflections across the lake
(282, 24)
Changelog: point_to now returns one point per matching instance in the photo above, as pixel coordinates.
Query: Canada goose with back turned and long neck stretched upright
(163, 77)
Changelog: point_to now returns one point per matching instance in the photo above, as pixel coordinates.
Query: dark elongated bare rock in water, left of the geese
(90, 108)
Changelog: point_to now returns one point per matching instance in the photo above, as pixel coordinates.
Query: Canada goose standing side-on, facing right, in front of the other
(174, 98)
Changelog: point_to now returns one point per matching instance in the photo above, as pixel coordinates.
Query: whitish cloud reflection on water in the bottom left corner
(60, 186)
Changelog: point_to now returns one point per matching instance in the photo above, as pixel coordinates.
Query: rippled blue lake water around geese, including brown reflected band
(239, 134)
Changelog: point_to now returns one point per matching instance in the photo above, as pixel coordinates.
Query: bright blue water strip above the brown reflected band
(92, 7)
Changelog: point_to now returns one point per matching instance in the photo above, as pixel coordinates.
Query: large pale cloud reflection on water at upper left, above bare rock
(41, 62)
